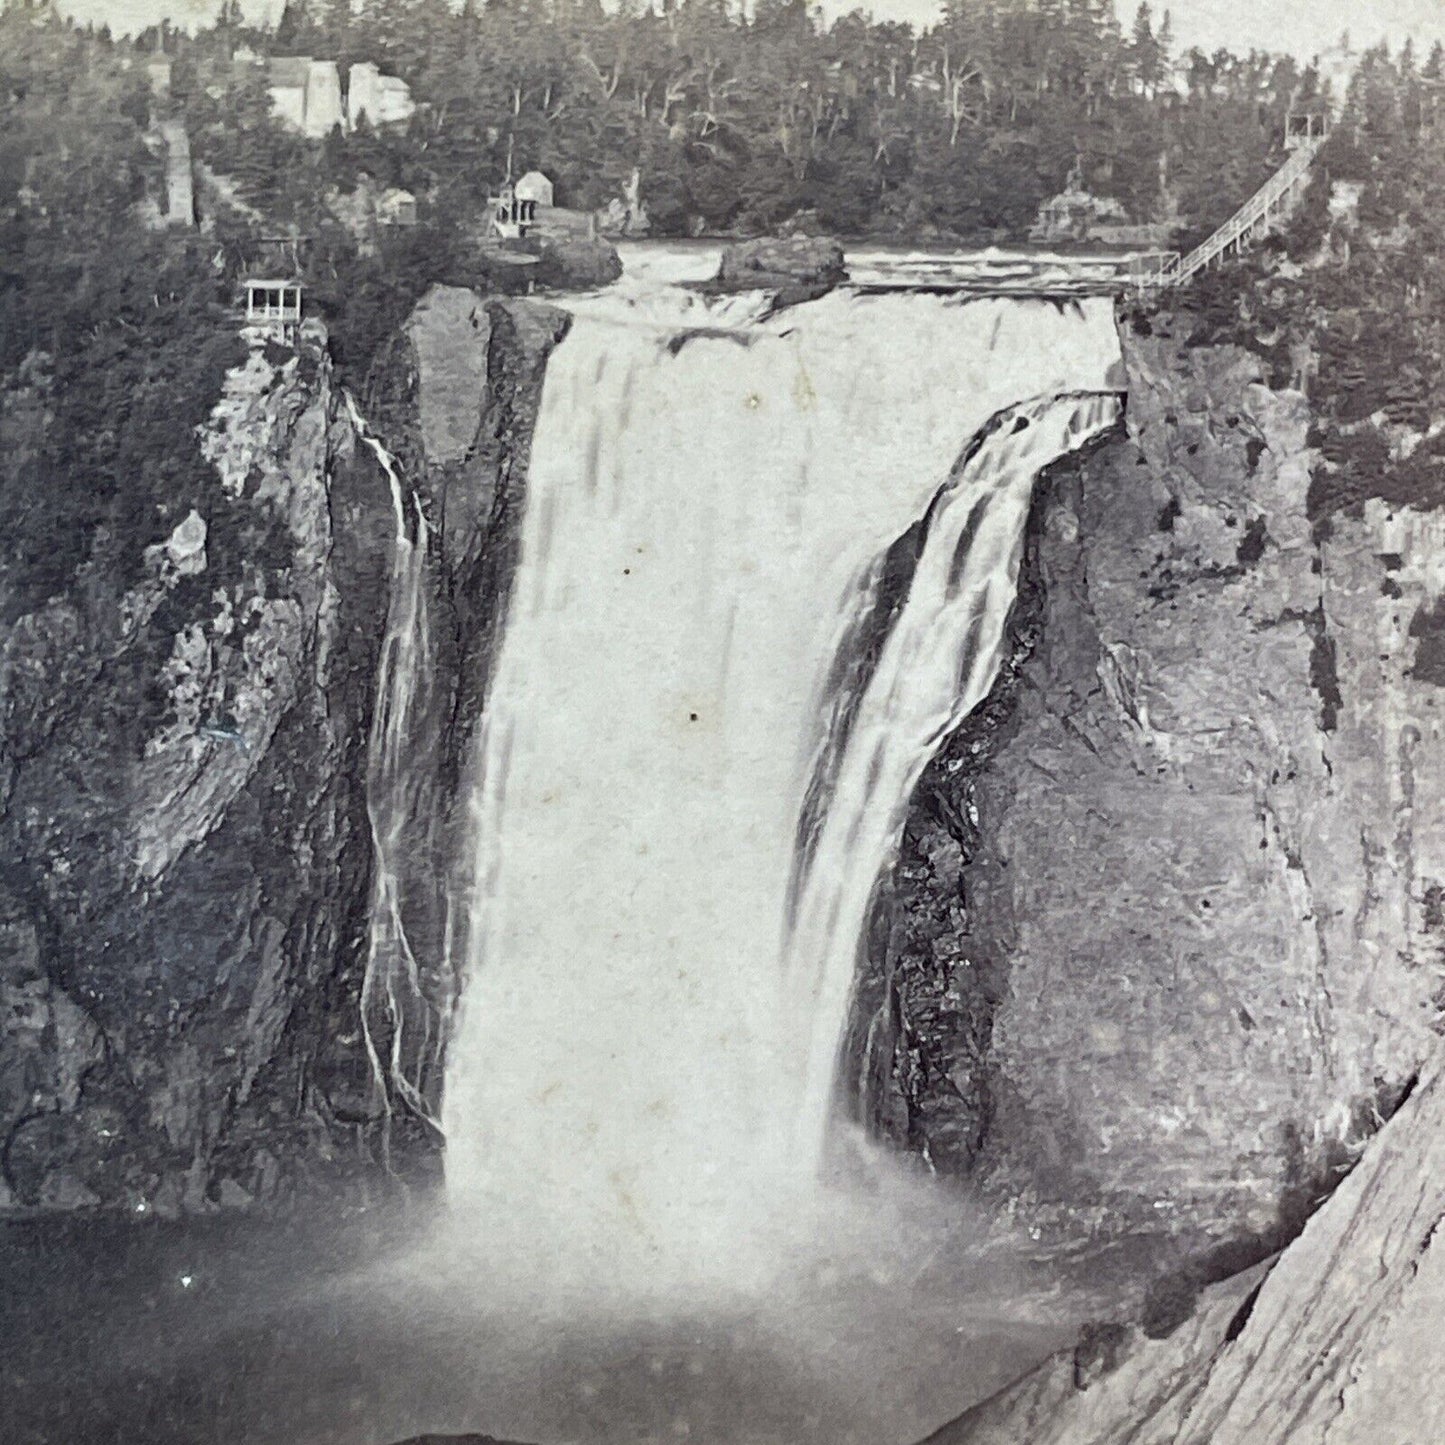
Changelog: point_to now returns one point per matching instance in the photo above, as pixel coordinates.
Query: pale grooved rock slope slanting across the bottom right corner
(1329, 1345)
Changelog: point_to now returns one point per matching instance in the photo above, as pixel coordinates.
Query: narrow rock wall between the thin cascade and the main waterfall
(456, 397)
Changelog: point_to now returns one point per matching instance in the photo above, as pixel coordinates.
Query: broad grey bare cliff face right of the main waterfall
(1164, 944)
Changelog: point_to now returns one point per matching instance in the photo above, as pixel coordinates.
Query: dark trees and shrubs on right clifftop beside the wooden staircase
(1353, 316)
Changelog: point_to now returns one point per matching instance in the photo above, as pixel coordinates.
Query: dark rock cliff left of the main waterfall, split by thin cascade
(184, 830)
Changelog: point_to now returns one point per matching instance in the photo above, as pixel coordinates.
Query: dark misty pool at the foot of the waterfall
(248, 1332)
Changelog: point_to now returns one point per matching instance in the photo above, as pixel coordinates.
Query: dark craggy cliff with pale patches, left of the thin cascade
(184, 839)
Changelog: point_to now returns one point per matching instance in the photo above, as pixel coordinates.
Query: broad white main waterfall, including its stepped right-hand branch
(663, 953)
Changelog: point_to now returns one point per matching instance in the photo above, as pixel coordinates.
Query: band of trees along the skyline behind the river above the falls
(741, 122)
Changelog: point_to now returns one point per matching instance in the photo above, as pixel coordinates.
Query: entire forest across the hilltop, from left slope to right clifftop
(115, 329)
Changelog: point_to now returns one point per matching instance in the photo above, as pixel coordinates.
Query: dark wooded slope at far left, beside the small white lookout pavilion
(113, 339)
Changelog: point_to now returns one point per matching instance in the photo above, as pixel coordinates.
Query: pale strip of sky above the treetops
(1300, 27)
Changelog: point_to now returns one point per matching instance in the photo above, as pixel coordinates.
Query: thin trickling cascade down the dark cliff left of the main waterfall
(400, 1024)
